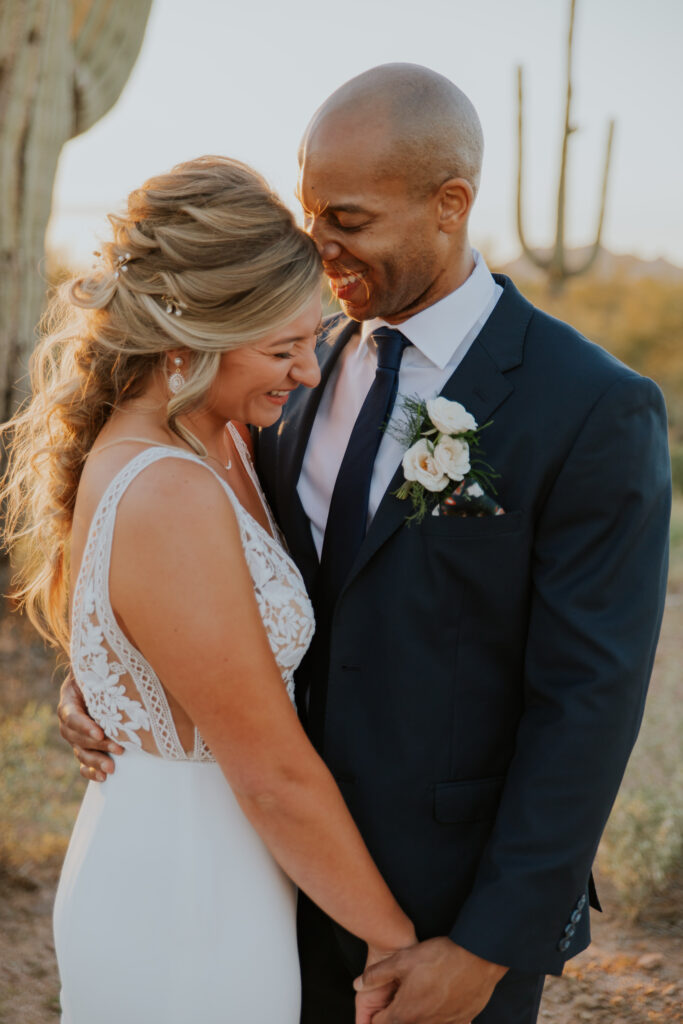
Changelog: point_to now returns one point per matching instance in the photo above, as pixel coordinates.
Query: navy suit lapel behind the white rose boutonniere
(480, 385)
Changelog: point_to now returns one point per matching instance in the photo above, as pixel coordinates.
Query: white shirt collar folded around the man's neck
(440, 330)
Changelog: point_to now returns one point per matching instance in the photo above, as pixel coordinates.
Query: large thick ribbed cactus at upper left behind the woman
(63, 66)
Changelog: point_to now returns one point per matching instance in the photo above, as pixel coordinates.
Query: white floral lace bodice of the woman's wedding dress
(120, 688)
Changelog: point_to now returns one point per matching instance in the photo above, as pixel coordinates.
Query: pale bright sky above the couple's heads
(244, 79)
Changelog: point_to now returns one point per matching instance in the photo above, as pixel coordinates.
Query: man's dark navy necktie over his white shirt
(349, 509)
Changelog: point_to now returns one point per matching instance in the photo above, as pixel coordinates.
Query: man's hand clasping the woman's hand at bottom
(439, 984)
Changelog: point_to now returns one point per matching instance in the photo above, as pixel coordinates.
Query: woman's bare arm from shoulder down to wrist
(181, 584)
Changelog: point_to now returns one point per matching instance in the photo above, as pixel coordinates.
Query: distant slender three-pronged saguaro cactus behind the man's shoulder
(554, 264)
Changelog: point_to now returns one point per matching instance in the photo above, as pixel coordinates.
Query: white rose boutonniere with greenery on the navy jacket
(444, 470)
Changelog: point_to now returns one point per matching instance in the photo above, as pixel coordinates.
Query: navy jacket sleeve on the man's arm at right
(601, 559)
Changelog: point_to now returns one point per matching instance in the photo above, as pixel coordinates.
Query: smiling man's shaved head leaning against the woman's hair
(390, 168)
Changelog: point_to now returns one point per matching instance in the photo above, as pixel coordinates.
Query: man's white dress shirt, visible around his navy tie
(442, 335)
